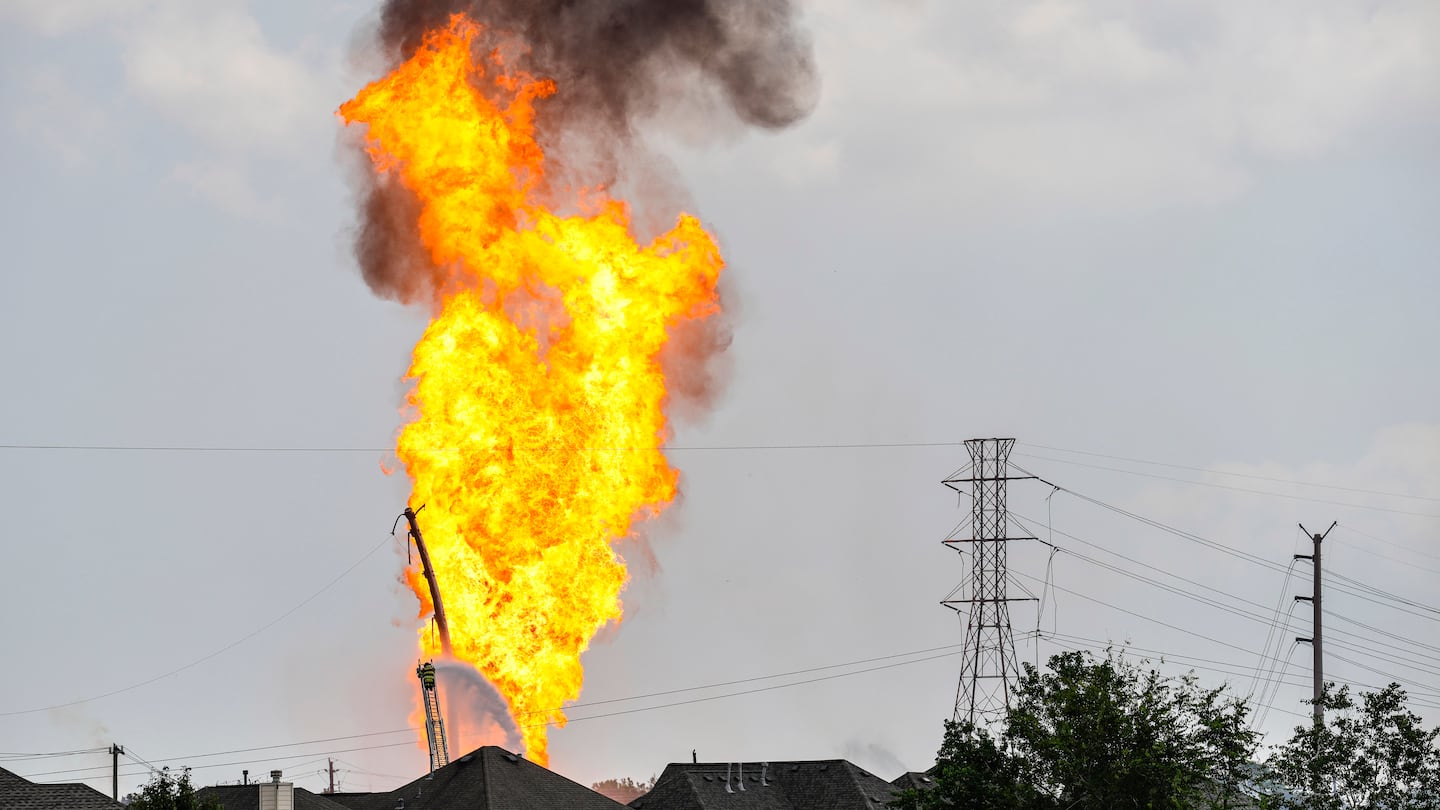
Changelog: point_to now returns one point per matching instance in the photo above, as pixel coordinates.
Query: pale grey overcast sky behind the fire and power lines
(1203, 234)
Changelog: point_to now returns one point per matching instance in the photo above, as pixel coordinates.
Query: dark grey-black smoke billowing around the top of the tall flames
(620, 66)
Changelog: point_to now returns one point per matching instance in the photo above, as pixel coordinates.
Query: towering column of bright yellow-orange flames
(539, 394)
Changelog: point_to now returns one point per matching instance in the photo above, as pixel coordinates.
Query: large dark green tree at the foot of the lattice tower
(1094, 734)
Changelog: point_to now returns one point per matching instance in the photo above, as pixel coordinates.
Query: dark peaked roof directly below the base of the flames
(486, 779)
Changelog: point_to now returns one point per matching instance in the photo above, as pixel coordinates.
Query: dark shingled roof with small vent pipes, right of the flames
(814, 785)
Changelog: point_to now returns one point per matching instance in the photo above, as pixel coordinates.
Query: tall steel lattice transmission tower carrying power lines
(990, 669)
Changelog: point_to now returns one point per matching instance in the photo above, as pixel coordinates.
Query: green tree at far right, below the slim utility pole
(1369, 755)
